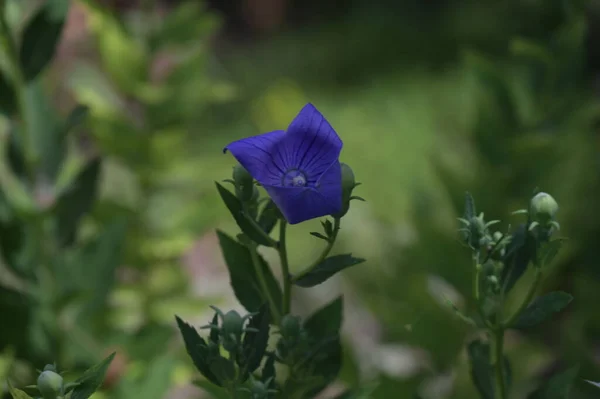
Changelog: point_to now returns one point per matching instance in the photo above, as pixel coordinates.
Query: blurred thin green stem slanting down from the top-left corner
(12, 56)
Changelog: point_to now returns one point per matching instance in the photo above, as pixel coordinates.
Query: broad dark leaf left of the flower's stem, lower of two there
(242, 274)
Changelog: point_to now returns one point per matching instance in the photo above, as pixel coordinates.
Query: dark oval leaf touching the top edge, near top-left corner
(41, 37)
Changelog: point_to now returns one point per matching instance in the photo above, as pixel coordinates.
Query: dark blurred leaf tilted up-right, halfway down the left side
(76, 202)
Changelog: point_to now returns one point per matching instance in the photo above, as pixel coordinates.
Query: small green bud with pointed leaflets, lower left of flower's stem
(231, 329)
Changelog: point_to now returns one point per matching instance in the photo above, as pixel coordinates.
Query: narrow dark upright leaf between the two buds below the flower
(255, 343)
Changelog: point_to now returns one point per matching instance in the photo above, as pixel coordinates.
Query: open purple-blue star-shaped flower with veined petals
(299, 167)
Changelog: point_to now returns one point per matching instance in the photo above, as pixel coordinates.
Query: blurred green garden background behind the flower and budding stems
(430, 98)
